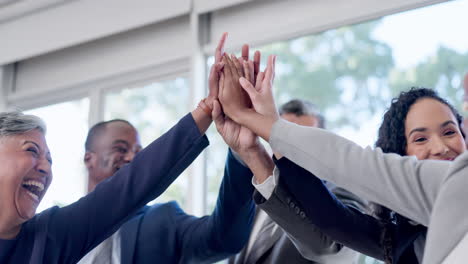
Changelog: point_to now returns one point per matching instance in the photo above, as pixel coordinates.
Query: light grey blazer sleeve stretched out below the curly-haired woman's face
(403, 184)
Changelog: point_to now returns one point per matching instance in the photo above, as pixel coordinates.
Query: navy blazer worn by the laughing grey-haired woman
(65, 235)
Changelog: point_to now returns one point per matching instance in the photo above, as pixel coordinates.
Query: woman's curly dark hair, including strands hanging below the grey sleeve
(391, 139)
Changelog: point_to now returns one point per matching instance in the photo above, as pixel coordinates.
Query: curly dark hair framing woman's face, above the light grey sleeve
(391, 137)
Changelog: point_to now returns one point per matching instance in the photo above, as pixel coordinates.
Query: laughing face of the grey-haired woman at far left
(25, 175)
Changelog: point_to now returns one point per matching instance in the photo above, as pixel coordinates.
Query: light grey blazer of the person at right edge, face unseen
(432, 193)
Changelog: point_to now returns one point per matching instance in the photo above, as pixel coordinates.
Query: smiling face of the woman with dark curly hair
(432, 131)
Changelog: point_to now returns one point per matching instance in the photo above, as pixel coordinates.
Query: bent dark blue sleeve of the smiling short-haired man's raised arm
(226, 231)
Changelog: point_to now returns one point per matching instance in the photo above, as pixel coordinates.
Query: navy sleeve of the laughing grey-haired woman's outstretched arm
(82, 225)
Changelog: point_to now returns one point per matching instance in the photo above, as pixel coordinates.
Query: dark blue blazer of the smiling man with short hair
(164, 233)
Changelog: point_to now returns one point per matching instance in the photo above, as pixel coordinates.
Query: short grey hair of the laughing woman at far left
(14, 123)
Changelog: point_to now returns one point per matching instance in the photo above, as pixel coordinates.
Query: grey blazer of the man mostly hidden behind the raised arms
(286, 247)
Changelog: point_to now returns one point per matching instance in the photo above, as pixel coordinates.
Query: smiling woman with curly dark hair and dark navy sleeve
(418, 122)
